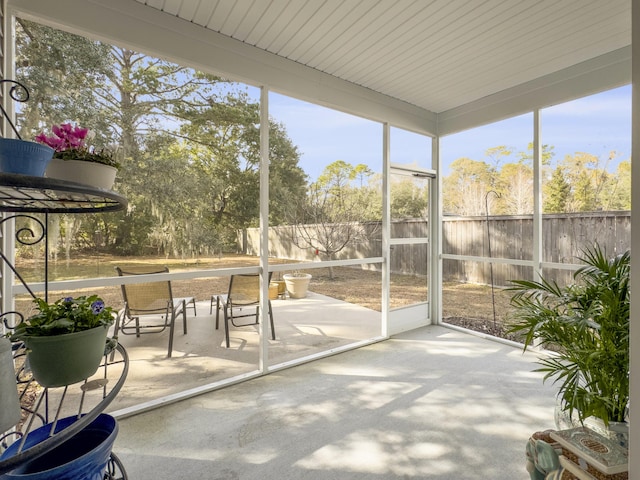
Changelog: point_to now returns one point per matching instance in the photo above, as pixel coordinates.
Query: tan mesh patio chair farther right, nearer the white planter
(242, 301)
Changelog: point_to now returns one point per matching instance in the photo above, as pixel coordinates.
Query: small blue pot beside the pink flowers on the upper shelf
(23, 157)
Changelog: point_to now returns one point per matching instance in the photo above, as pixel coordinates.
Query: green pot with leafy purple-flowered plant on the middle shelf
(65, 340)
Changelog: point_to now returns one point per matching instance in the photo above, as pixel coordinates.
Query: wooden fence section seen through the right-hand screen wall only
(564, 237)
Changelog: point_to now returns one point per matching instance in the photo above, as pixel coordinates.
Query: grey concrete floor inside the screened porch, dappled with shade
(433, 403)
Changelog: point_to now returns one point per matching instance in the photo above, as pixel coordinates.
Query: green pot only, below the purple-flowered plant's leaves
(61, 360)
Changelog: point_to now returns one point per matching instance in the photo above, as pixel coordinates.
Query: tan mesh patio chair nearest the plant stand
(150, 307)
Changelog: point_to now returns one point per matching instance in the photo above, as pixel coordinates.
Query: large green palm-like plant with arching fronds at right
(586, 326)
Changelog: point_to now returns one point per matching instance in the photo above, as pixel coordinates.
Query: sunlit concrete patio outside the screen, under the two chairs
(305, 326)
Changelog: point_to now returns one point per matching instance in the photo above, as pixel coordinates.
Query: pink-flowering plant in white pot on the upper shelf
(75, 161)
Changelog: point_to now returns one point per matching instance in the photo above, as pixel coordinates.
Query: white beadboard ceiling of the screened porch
(437, 55)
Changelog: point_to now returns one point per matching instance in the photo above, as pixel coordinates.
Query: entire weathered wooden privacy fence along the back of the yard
(564, 236)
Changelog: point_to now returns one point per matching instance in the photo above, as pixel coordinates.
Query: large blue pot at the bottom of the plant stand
(83, 457)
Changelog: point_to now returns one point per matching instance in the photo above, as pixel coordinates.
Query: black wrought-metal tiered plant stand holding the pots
(21, 196)
